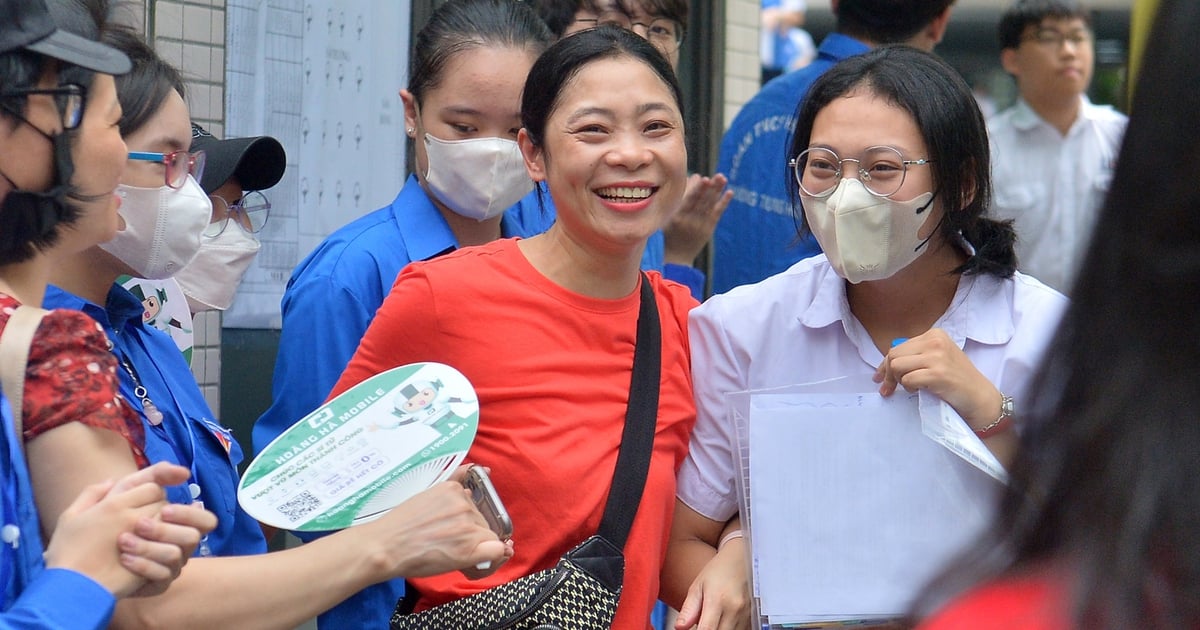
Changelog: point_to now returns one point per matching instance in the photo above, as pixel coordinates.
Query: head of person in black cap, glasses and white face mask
(236, 172)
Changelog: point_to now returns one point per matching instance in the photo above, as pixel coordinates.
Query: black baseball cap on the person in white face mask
(257, 161)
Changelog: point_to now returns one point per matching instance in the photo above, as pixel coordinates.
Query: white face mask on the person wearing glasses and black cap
(212, 279)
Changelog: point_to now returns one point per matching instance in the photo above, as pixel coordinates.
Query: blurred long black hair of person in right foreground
(1105, 484)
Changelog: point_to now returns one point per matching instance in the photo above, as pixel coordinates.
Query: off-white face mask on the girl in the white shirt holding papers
(866, 237)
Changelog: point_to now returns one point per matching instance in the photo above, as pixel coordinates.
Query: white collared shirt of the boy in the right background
(1053, 185)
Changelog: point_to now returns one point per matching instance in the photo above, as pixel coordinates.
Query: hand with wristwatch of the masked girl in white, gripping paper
(934, 363)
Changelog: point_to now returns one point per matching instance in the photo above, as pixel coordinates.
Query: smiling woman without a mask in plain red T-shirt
(545, 328)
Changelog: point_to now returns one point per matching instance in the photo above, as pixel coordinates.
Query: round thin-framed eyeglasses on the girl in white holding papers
(881, 170)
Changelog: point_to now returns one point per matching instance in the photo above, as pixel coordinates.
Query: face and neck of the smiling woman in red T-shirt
(611, 148)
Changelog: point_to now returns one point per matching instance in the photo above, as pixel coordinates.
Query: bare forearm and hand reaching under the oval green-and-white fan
(435, 532)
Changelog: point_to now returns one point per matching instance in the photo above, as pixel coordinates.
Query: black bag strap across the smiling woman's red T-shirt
(641, 419)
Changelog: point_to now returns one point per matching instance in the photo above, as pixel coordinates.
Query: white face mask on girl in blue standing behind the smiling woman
(478, 179)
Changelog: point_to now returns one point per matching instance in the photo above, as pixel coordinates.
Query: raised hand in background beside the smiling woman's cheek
(693, 224)
